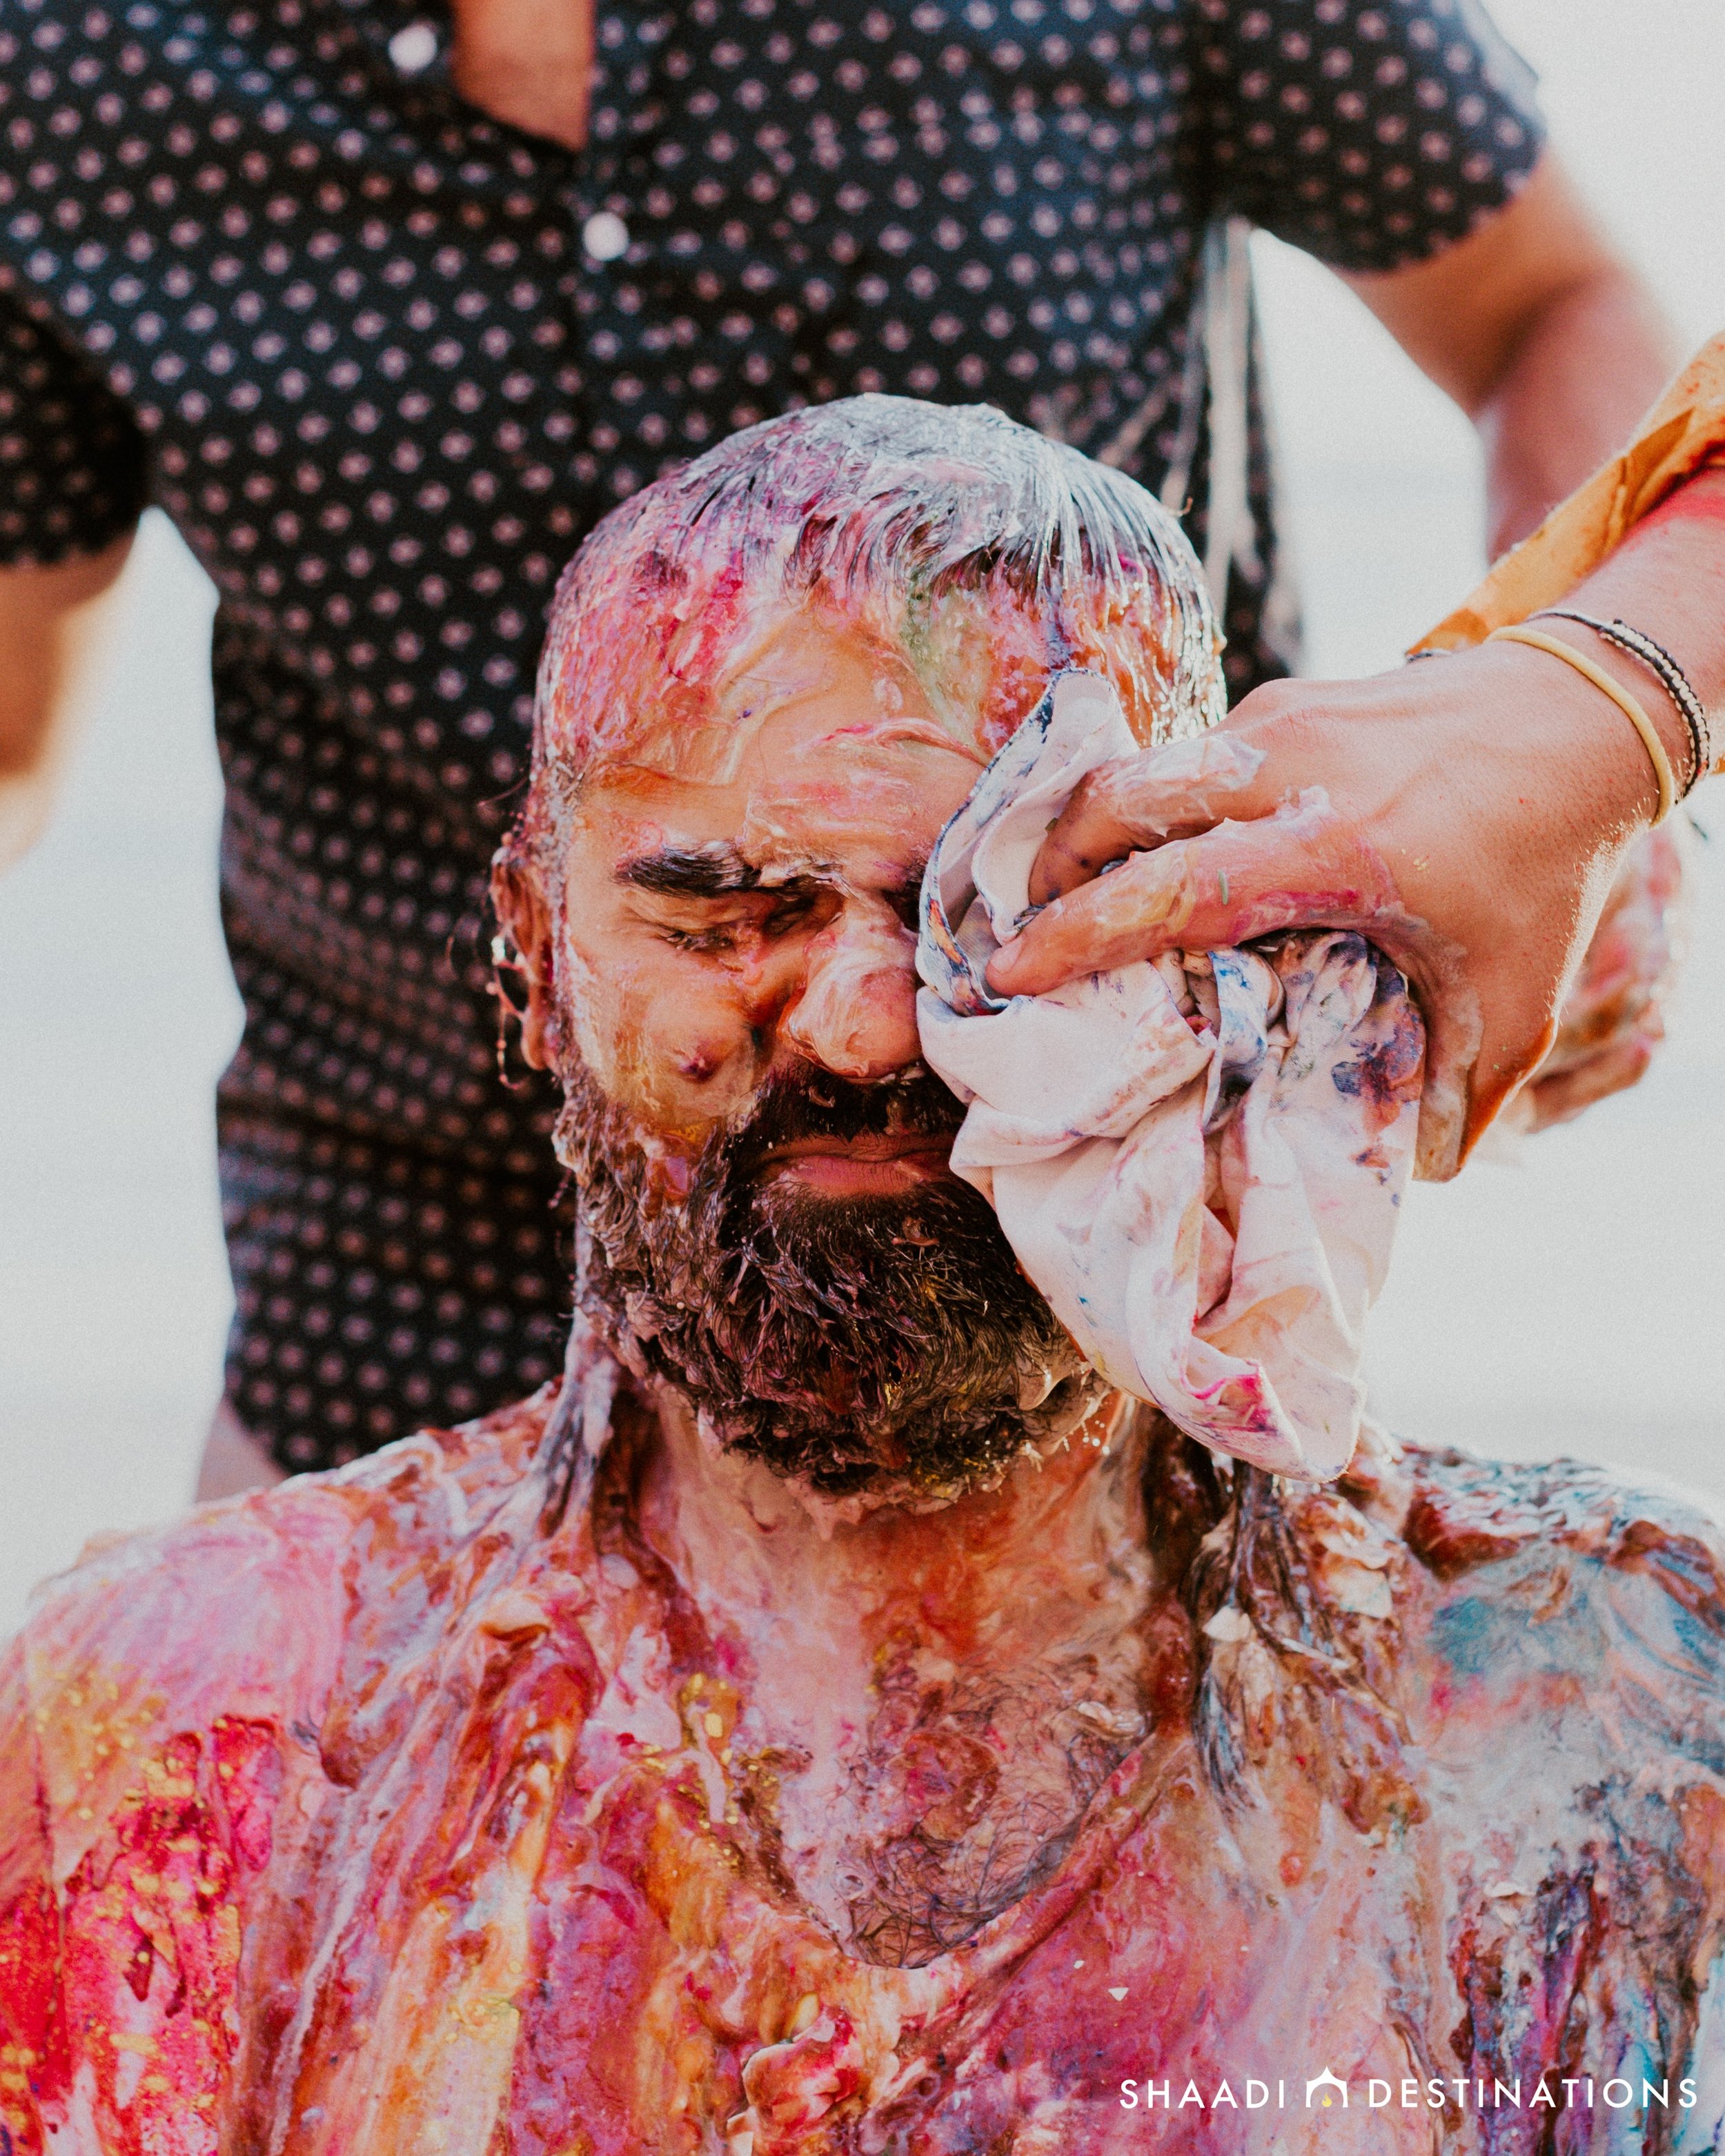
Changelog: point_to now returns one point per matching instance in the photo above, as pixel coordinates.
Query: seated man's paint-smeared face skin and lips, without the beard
(743, 894)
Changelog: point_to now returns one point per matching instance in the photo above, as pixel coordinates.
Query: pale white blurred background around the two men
(1569, 1303)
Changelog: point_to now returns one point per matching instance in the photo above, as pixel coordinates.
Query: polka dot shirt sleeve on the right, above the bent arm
(1368, 133)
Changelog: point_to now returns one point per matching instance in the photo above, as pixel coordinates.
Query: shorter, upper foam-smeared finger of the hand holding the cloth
(1142, 801)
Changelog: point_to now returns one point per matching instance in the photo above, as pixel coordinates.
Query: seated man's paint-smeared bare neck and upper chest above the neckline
(924, 1683)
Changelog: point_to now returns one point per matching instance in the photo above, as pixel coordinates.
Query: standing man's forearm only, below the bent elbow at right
(1569, 396)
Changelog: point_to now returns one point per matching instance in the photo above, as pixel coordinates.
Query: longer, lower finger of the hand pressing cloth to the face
(1299, 868)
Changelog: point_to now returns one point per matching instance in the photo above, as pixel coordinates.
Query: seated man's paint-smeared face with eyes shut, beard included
(771, 1219)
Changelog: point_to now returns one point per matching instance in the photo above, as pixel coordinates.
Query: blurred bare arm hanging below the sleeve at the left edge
(49, 622)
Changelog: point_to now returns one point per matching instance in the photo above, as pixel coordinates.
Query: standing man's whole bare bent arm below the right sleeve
(1543, 335)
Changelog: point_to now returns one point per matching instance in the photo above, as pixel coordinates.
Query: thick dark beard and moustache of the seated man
(885, 1346)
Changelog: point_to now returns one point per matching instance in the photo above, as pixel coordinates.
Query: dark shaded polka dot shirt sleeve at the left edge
(72, 458)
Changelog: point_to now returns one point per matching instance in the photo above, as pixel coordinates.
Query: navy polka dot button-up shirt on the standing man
(385, 361)
